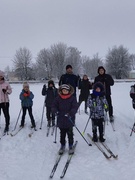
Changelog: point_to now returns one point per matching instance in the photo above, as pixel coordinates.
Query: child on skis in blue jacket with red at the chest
(26, 97)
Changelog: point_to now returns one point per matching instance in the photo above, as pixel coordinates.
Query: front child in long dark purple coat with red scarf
(65, 105)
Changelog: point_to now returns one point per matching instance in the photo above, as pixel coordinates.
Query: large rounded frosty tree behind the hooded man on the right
(118, 62)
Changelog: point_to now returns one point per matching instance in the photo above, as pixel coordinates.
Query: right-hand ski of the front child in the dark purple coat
(68, 161)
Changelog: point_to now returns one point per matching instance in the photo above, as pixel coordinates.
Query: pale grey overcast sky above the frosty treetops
(92, 26)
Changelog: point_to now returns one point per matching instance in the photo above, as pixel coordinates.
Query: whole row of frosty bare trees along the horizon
(51, 62)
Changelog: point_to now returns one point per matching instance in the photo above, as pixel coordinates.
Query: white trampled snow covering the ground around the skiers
(25, 158)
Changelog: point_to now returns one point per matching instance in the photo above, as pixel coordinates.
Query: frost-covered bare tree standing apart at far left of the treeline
(22, 63)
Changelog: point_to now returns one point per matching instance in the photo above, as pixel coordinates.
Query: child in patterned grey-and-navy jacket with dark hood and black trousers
(97, 103)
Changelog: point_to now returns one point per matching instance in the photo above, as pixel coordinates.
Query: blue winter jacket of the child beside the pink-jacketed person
(26, 101)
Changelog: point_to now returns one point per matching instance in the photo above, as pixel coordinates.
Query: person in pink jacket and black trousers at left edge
(5, 90)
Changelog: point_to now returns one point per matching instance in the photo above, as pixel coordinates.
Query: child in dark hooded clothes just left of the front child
(50, 93)
